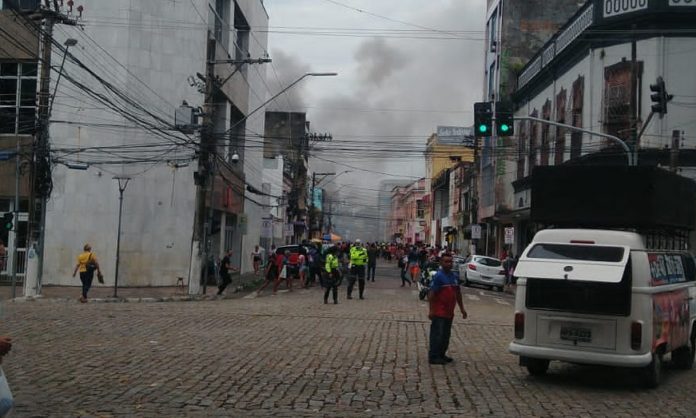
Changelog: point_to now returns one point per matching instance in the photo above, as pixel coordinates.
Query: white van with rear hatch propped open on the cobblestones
(601, 297)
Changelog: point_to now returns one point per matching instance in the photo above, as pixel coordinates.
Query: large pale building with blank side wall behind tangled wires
(153, 58)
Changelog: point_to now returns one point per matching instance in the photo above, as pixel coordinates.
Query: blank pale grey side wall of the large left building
(159, 202)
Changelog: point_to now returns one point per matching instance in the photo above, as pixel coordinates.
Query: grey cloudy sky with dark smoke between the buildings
(392, 90)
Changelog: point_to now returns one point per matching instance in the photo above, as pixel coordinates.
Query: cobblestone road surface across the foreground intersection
(291, 355)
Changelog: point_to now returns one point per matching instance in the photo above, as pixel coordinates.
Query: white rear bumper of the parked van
(583, 357)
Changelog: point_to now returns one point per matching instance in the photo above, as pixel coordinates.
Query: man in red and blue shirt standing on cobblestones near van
(444, 293)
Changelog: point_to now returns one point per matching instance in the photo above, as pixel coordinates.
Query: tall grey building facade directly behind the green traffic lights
(515, 30)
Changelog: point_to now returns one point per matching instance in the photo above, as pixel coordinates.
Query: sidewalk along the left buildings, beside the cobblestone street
(105, 292)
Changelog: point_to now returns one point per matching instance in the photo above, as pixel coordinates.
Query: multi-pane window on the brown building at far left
(17, 98)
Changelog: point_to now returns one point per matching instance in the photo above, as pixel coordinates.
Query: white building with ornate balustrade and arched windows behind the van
(583, 77)
